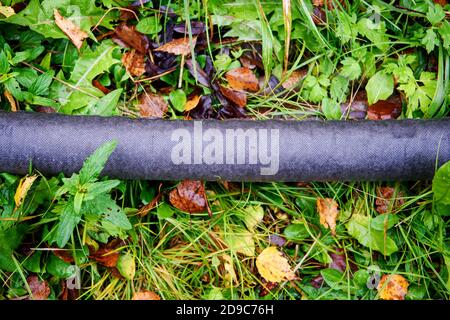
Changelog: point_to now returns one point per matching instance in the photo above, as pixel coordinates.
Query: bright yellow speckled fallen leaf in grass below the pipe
(273, 266)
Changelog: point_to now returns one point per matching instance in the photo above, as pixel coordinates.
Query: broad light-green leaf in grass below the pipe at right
(360, 228)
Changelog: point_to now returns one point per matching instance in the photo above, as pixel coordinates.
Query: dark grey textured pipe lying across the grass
(234, 150)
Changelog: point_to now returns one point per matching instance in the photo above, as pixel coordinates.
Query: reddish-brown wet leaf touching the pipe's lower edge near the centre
(189, 196)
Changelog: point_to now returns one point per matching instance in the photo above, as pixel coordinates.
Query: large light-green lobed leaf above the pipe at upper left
(89, 65)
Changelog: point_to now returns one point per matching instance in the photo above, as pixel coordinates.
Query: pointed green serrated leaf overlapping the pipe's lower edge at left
(95, 163)
